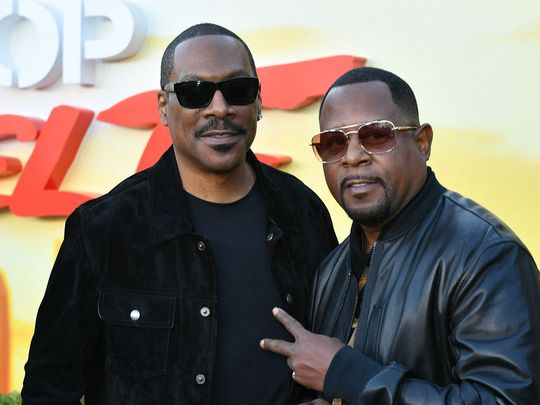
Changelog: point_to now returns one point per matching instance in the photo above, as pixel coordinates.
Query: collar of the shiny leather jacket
(418, 208)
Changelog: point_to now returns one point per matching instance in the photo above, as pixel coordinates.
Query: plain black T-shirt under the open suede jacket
(244, 373)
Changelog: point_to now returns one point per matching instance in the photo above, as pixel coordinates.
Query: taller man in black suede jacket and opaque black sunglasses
(163, 287)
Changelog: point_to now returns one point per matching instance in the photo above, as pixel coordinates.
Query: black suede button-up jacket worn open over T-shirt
(128, 316)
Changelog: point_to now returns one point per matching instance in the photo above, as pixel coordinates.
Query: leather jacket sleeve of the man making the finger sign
(494, 317)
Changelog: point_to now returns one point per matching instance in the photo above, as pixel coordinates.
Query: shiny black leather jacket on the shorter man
(450, 312)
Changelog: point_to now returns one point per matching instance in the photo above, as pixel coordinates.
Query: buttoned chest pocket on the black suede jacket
(137, 329)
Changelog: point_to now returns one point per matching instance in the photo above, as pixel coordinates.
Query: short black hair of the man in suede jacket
(198, 30)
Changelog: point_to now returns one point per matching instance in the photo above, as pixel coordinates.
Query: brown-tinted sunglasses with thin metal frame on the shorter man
(375, 137)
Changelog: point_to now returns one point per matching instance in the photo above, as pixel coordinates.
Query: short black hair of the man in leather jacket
(401, 92)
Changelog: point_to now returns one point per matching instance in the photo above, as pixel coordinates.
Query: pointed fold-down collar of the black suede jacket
(169, 205)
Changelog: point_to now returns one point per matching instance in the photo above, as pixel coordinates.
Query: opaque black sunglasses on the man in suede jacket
(199, 93)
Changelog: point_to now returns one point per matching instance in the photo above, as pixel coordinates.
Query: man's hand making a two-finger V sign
(309, 356)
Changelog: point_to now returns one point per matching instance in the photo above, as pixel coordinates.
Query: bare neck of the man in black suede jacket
(218, 188)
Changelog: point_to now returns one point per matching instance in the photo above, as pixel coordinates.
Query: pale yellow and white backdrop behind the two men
(473, 66)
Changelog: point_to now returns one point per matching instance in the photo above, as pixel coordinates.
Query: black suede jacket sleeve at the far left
(66, 327)
